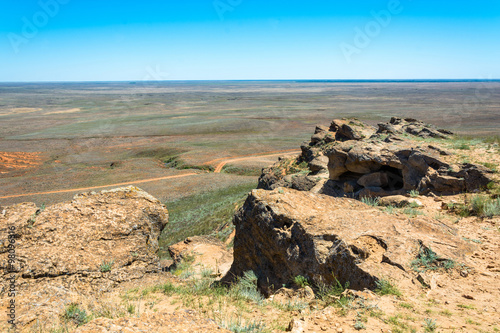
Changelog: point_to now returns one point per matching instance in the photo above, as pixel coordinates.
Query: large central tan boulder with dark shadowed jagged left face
(284, 233)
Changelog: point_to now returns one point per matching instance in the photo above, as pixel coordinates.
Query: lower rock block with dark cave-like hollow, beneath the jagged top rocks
(399, 166)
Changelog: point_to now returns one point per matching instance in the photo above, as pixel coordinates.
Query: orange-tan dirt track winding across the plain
(218, 169)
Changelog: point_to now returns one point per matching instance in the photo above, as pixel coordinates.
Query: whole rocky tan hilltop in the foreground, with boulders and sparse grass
(388, 228)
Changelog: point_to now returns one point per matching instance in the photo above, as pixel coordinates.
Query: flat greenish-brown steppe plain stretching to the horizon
(64, 136)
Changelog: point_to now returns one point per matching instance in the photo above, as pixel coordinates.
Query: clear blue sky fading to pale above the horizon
(105, 40)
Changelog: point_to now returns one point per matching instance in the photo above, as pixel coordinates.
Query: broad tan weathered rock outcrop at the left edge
(84, 246)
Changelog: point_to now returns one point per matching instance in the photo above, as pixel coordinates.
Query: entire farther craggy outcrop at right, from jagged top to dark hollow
(352, 158)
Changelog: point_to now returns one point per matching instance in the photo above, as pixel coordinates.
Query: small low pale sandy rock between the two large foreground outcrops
(207, 253)
